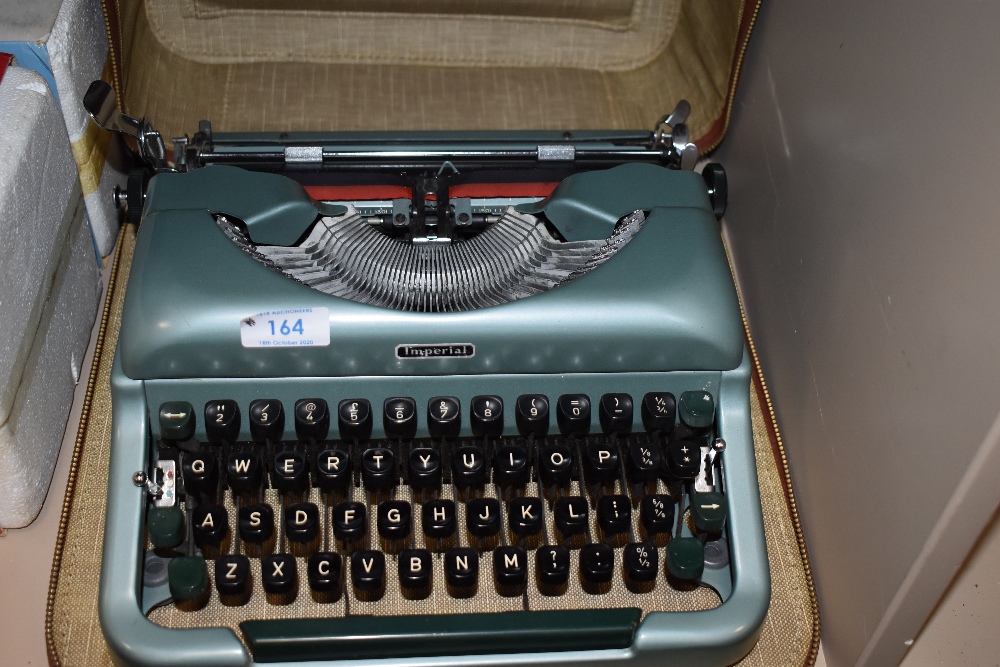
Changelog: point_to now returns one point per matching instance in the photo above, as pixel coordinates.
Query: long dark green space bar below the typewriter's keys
(358, 637)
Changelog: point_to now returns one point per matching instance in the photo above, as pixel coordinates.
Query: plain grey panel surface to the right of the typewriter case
(863, 218)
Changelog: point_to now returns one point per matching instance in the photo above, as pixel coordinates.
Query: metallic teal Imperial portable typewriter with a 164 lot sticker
(429, 398)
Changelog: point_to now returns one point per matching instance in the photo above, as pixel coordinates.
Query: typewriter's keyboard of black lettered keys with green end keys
(332, 522)
